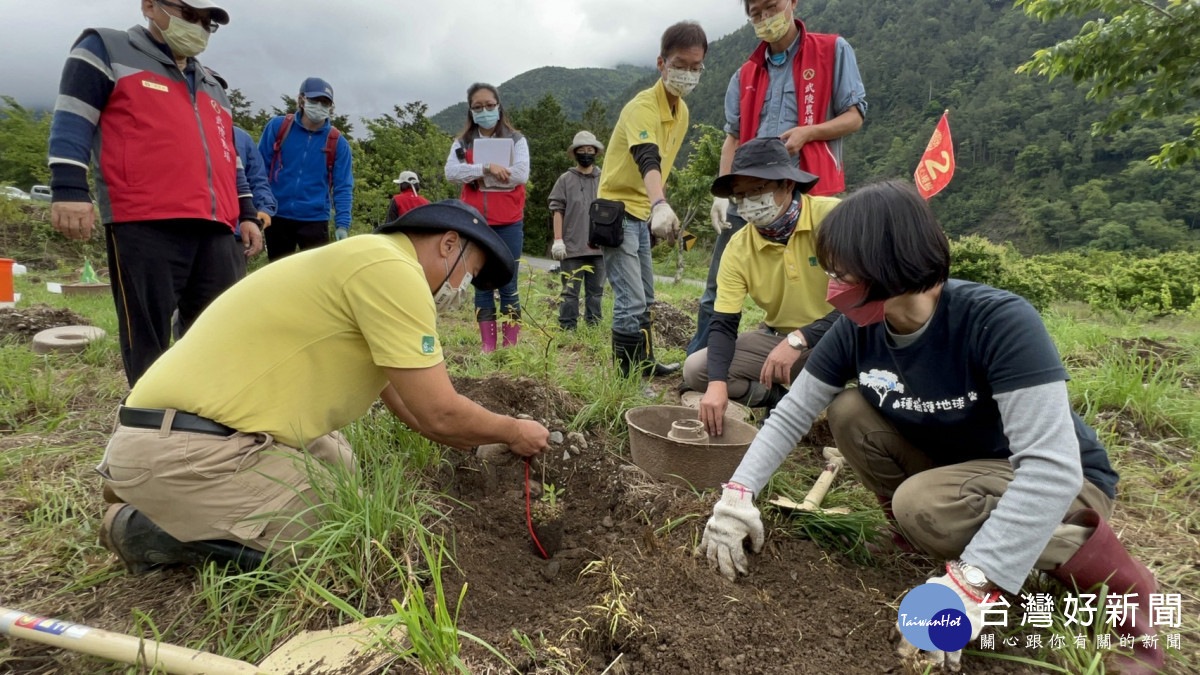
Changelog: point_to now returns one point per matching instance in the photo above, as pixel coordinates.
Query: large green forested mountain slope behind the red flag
(1029, 169)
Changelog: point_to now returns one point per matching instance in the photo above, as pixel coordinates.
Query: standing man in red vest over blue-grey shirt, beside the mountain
(801, 87)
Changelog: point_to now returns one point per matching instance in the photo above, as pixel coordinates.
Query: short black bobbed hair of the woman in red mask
(886, 236)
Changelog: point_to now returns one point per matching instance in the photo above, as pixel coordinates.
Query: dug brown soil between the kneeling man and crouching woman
(627, 594)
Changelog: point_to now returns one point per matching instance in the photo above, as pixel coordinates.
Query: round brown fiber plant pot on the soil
(683, 457)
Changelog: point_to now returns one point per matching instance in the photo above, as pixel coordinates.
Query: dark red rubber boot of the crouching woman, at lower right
(1105, 560)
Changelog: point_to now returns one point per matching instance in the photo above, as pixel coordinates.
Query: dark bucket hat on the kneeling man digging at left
(499, 268)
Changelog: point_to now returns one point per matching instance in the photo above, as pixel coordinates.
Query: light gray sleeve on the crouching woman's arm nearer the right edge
(1047, 479)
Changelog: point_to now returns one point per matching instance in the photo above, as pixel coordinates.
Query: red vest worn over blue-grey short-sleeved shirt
(813, 70)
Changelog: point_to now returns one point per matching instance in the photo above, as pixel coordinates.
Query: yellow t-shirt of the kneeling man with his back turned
(297, 349)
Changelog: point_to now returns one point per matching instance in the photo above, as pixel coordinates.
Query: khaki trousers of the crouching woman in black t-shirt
(939, 509)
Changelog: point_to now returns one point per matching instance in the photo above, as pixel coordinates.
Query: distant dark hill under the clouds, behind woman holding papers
(573, 88)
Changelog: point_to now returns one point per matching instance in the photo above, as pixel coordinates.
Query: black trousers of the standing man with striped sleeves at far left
(158, 267)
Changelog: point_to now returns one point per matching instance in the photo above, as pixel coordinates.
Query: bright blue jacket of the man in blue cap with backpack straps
(302, 186)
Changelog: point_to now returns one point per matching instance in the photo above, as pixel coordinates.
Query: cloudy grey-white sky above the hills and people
(375, 53)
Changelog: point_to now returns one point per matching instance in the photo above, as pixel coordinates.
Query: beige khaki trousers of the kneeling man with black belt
(245, 487)
